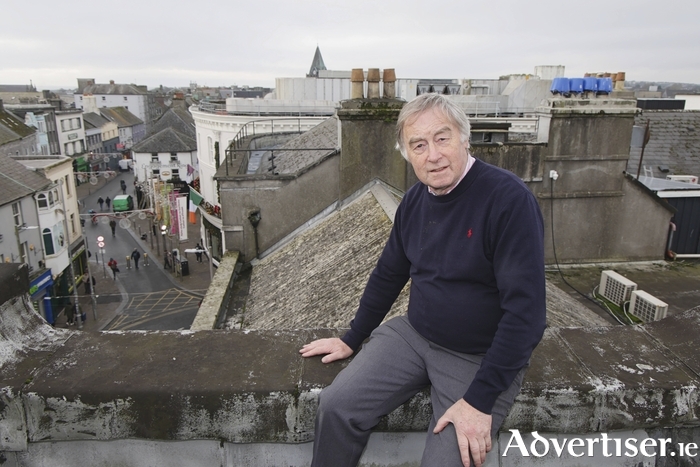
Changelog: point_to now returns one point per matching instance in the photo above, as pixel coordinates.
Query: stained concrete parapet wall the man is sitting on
(222, 392)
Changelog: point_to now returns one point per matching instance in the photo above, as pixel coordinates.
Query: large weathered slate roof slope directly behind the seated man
(317, 279)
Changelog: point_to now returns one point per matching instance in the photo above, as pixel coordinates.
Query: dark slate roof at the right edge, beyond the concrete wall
(674, 142)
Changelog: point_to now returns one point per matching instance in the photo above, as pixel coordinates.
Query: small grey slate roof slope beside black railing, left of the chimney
(323, 135)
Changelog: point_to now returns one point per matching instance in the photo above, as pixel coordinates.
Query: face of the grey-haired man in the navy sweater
(435, 150)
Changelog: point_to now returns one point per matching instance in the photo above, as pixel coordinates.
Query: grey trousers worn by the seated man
(393, 366)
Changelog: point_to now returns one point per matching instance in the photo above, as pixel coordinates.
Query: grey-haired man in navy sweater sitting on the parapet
(470, 238)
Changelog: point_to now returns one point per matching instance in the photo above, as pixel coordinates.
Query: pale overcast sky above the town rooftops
(220, 43)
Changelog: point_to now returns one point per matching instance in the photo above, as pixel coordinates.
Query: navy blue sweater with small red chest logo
(475, 258)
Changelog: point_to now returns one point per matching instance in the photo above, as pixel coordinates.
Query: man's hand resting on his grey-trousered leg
(473, 431)
